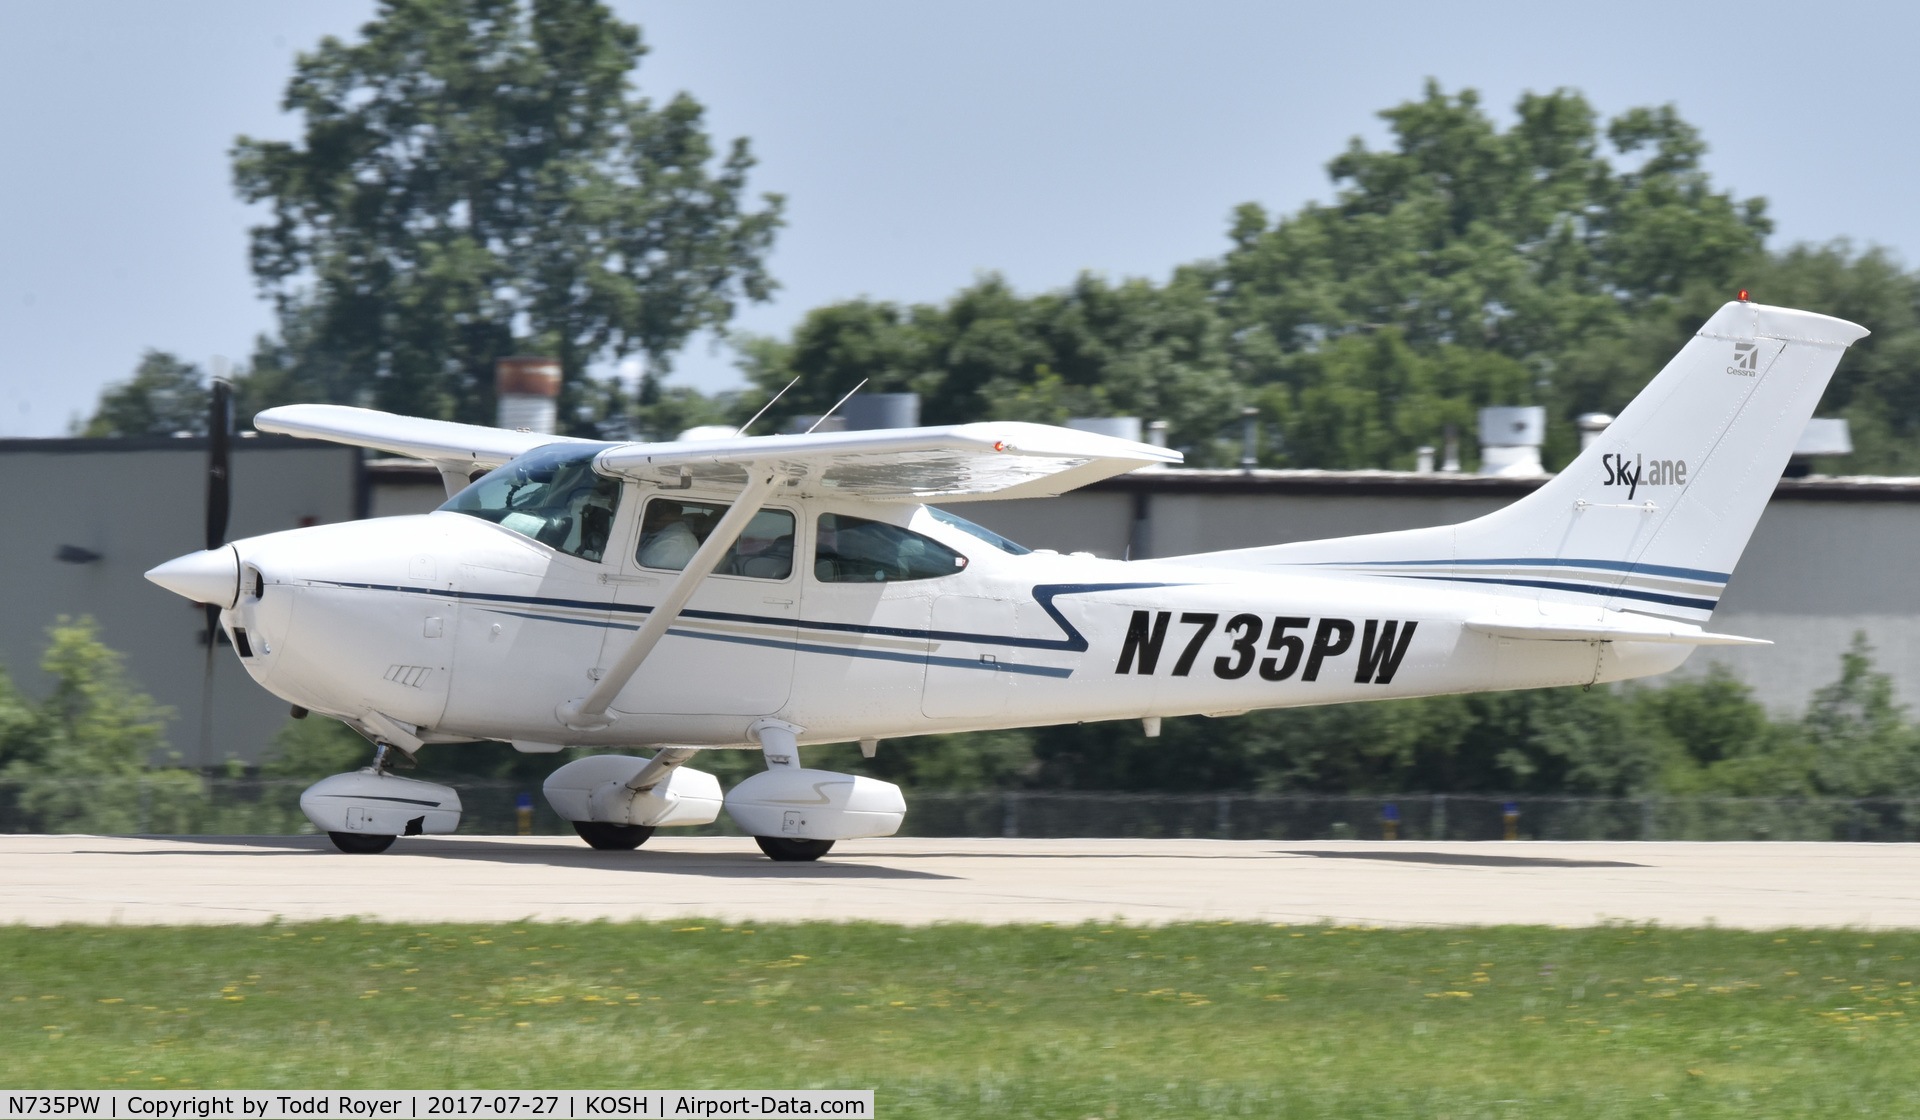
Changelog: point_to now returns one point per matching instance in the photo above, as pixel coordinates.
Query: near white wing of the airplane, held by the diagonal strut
(951, 464)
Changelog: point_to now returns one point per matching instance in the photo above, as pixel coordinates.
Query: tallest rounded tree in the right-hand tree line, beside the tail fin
(1525, 243)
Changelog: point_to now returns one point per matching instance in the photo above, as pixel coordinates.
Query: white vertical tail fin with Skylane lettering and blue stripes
(1658, 510)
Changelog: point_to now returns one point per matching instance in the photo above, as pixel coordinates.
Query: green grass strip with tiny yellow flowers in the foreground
(1011, 1021)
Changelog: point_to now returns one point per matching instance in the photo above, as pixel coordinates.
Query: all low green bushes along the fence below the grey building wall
(93, 752)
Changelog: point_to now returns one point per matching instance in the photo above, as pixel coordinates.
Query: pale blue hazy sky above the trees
(919, 145)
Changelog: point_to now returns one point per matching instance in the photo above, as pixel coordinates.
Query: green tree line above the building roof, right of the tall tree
(1556, 262)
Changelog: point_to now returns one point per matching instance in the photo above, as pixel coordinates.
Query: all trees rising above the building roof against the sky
(444, 212)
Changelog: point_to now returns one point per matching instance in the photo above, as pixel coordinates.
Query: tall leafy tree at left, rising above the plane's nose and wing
(477, 180)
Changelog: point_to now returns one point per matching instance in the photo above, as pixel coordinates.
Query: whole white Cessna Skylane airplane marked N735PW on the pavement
(784, 591)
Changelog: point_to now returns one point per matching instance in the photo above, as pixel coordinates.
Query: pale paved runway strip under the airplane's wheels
(224, 879)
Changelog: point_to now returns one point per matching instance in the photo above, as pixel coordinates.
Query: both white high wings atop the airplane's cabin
(951, 464)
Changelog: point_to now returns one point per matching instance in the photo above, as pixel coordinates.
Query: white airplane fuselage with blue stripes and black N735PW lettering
(468, 629)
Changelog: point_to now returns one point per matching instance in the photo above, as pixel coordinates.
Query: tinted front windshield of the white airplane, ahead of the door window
(550, 495)
